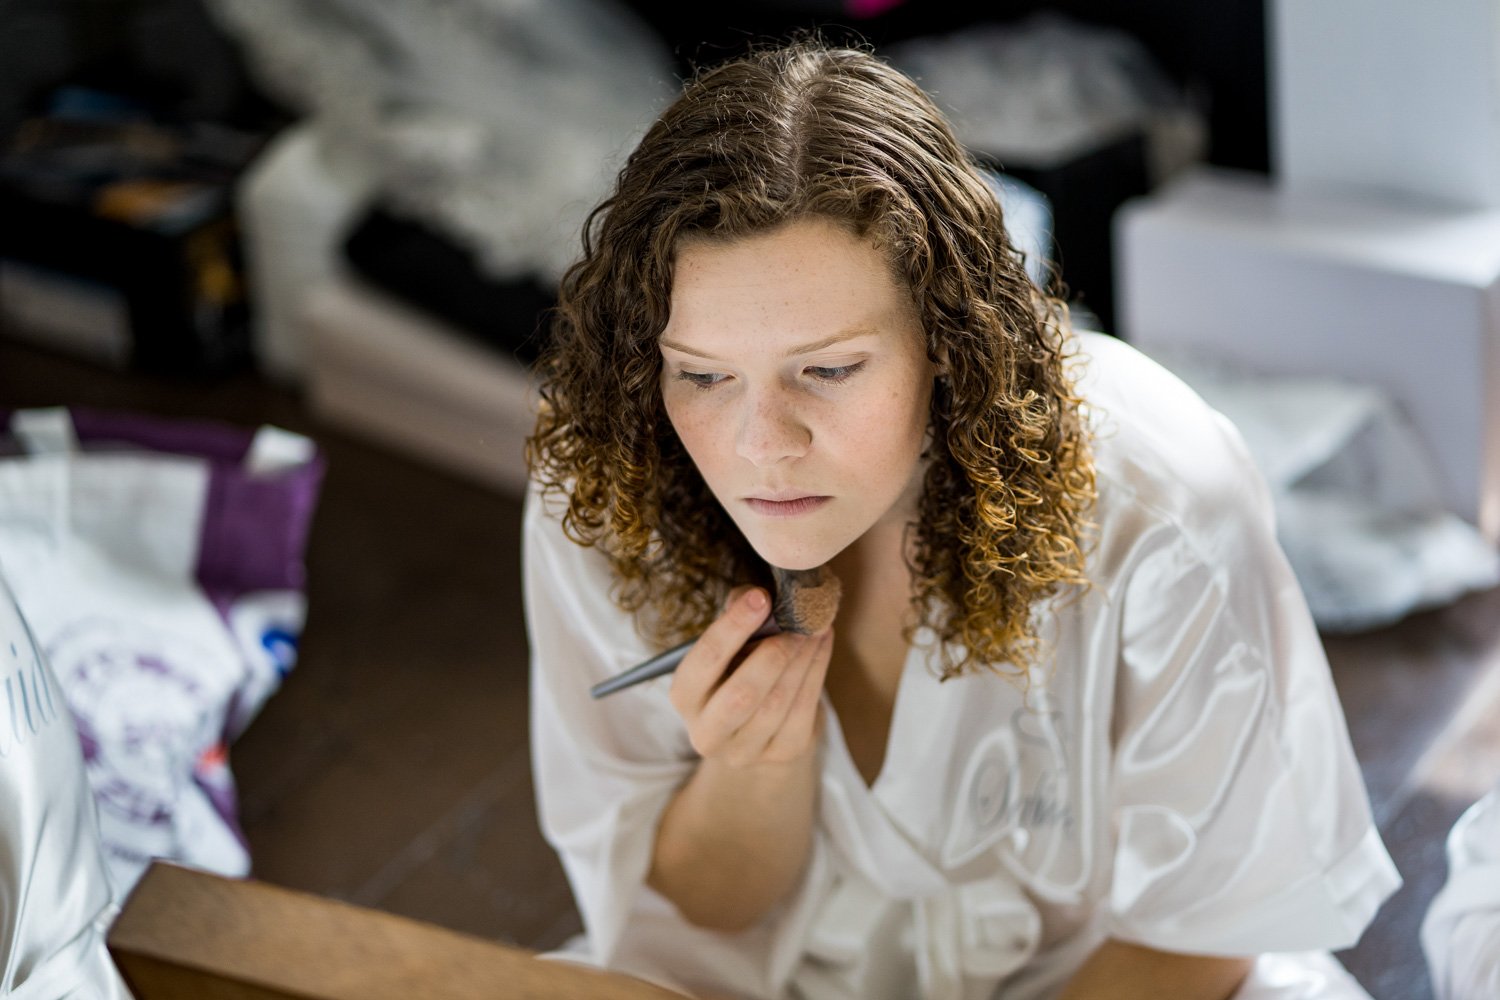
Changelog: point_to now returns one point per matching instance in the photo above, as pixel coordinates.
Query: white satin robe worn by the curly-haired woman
(1180, 777)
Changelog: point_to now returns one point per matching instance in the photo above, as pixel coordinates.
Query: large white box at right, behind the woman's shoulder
(1295, 283)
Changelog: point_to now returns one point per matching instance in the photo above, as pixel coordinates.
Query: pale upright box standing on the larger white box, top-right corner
(1388, 95)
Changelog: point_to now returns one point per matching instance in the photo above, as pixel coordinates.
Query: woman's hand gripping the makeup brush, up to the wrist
(754, 708)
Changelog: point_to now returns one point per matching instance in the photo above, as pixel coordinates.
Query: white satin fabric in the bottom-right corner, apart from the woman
(1462, 930)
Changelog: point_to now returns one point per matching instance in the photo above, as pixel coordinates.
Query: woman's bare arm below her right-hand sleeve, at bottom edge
(1129, 972)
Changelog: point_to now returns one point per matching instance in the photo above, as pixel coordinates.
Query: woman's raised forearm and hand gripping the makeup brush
(736, 839)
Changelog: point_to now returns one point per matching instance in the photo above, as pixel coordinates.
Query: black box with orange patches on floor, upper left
(119, 241)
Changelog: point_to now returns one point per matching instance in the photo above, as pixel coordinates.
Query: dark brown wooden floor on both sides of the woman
(392, 768)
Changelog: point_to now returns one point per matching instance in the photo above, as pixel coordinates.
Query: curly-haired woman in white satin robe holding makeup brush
(1072, 734)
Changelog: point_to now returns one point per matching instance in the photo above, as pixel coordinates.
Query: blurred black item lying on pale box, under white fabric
(427, 269)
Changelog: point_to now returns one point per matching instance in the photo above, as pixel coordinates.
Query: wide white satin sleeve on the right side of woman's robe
(1240, 816)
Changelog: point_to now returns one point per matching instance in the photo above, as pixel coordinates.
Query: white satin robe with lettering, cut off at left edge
(55, 893)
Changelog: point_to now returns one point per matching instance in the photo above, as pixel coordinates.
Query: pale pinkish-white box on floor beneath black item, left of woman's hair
(395, 376)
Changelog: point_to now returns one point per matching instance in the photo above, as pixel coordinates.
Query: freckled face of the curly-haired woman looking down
(796, 376)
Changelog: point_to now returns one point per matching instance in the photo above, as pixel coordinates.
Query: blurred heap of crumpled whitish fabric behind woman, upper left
(499, 122)
